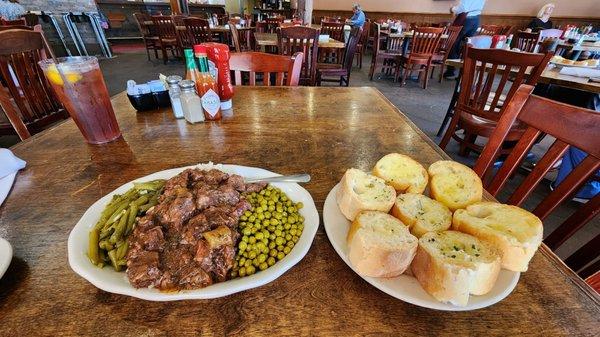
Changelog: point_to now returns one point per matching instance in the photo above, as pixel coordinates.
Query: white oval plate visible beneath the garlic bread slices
(406, 287)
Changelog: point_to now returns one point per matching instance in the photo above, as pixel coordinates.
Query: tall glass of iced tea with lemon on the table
(80, 87)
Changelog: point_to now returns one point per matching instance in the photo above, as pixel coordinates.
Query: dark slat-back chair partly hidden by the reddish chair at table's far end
(305, 40)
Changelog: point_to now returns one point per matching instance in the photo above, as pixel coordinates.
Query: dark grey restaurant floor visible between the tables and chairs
(426, 108)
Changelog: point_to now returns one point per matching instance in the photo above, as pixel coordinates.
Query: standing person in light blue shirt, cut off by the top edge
(472, 10)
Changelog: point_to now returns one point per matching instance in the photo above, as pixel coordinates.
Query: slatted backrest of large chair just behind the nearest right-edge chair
(481, 93)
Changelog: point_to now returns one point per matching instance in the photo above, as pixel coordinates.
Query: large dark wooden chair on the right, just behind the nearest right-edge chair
(485, 91)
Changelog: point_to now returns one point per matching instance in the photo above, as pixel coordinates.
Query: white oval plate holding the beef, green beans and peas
(109, 280)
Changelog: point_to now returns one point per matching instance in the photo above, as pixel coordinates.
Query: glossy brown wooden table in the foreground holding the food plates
(319, 130)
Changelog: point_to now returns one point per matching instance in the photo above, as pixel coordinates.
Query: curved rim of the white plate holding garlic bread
(434, 304)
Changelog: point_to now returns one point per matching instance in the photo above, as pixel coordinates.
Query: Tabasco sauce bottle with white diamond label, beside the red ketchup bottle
(206, 86)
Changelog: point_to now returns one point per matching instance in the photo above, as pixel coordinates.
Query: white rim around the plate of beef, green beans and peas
(235, 286)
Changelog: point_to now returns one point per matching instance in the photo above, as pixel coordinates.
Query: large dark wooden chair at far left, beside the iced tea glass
(27, 99)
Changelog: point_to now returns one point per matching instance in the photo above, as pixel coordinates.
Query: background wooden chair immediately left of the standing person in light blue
(424, 43)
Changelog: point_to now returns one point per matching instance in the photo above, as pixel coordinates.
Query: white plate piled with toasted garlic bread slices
(424, 235)
